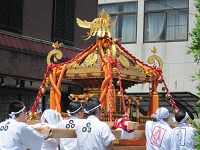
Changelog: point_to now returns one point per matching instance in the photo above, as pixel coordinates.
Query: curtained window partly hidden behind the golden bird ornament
(126, 25)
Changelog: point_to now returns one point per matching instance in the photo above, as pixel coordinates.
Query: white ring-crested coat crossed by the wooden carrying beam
(68, 143)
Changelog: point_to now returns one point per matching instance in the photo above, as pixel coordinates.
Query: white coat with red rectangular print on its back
(159, 136)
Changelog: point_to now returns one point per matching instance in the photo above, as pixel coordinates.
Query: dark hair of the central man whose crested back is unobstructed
(90, 104)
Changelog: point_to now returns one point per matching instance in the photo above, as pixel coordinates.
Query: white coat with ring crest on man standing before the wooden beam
(92, 134)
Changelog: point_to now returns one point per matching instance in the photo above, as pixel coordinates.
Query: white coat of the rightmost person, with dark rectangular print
(185, 134)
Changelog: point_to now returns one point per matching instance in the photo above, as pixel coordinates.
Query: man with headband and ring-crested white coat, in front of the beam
(93, 134)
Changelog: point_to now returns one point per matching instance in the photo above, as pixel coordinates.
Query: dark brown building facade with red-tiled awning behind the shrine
(27, 30)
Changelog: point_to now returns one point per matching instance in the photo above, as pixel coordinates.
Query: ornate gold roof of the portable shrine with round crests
(89, 72)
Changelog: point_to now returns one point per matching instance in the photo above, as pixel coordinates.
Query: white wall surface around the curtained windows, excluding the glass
(178, 67)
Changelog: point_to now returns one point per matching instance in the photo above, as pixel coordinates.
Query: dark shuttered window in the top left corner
(11, 15)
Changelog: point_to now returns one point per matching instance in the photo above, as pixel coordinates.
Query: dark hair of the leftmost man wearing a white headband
(15, 106)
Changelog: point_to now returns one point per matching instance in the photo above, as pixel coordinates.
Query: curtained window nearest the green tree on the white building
(166, 20)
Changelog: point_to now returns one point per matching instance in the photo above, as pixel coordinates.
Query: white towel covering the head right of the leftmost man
(51, 116)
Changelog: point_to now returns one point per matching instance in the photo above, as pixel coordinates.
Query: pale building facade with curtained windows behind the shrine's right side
(163, 24)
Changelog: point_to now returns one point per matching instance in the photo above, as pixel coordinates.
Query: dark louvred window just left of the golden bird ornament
(63, 28)
